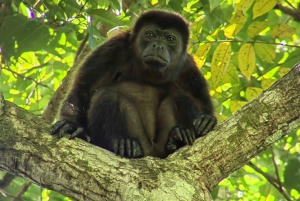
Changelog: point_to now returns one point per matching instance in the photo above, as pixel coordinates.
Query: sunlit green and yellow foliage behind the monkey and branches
(242, 47)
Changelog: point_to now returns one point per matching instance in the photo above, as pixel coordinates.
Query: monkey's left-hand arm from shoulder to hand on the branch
(99, 69)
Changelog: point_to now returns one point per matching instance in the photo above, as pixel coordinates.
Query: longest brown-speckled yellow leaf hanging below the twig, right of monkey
(220, 62)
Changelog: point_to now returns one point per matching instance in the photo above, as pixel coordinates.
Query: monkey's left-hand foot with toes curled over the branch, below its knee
(127, 147)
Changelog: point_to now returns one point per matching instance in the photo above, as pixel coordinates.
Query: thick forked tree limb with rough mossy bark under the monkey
(85, 172)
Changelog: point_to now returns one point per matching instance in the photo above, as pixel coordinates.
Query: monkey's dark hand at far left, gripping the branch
(63, 127)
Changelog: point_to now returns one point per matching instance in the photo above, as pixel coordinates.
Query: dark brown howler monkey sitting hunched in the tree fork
(140, 93)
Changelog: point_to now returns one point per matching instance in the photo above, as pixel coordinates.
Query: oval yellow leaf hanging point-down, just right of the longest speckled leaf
(246, 60)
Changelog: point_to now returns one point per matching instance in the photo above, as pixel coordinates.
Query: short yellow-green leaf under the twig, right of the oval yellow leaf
(266, 52)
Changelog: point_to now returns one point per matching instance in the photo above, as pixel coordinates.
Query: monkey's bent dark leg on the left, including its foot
(107, 125)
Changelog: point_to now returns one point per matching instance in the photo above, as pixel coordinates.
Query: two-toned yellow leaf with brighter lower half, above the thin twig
(236, 24)
